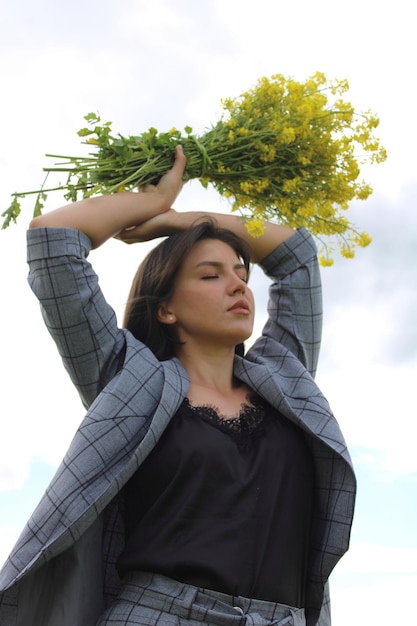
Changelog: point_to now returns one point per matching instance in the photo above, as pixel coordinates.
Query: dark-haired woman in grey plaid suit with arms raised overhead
(203, 486)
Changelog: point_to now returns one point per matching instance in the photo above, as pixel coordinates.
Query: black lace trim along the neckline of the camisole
(245, 428)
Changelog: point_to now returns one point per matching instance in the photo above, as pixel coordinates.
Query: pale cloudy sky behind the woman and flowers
(161, 63)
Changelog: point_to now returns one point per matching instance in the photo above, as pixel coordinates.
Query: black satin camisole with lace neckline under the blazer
(224, 504)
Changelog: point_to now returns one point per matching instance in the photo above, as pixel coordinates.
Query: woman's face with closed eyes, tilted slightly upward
(212, 305)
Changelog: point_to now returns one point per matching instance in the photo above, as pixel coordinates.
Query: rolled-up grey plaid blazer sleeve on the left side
(82, 324)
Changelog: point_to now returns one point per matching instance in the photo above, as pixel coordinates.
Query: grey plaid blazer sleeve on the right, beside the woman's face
(295, 311)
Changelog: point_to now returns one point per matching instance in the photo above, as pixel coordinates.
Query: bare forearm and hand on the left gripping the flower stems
(105, 216)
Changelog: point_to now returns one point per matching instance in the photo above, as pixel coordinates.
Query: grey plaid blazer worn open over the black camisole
(62, 569)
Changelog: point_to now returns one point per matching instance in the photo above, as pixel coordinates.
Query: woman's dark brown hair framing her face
(154, 283)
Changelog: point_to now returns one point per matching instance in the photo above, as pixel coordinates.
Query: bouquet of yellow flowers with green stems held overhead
(280, 151)
